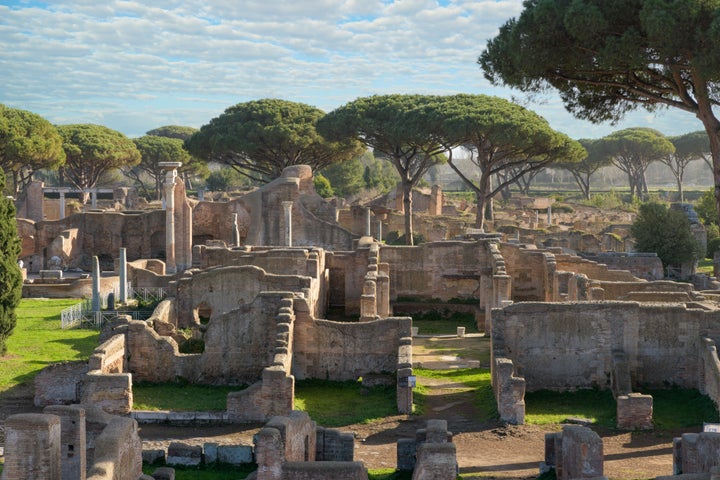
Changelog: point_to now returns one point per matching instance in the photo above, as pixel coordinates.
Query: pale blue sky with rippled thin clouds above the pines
(134, 66)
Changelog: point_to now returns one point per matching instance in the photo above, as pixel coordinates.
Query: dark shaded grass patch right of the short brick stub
(681, 408)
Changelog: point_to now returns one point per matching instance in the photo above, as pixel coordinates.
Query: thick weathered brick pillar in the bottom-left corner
(32, 447)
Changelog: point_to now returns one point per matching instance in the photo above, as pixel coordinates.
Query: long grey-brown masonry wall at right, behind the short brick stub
(570, 345)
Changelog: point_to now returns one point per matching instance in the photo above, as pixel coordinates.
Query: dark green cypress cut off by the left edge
(10, 276)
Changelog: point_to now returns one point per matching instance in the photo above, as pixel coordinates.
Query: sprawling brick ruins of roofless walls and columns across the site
(254, 280)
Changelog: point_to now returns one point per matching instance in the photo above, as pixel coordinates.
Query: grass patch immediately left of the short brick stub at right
(549, 407)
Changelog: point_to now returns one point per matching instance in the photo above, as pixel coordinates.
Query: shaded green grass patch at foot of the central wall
(337, 404)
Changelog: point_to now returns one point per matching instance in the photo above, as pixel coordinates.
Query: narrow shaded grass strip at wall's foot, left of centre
(181, 397)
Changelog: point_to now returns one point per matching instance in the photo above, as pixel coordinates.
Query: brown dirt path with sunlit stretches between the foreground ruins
(487, 448)
